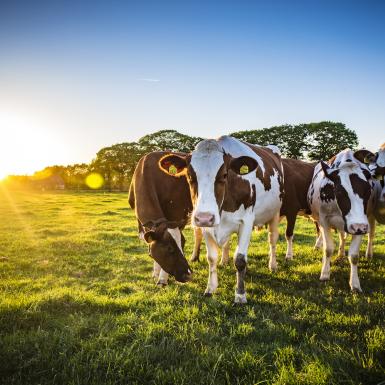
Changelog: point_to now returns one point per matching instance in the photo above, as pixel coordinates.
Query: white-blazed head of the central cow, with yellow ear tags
(206, 169)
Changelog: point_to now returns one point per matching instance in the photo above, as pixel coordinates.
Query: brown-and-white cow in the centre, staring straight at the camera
(234, 186)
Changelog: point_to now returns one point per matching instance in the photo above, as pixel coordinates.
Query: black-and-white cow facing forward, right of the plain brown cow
(340, 198)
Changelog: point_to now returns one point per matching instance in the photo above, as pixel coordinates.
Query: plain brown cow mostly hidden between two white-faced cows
(298, 176)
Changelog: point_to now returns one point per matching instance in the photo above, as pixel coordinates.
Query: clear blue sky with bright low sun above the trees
(76, 76)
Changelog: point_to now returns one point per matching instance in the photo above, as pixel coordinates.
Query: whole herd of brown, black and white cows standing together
(226, 186)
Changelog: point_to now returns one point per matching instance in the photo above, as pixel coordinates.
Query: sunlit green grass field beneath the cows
(78, 306)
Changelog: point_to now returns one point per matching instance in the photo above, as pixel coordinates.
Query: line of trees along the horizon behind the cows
(116, 164)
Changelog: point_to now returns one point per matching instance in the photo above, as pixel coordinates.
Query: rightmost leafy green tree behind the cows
(325, 139)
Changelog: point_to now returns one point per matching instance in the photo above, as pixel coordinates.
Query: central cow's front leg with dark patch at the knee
(240, 260)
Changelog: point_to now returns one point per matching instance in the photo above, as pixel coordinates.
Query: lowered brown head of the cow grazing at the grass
(166, 247)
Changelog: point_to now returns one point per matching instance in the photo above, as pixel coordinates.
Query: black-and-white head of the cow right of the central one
(352, 191)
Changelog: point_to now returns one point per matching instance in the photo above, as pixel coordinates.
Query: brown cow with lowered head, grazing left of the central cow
(162, 206)
